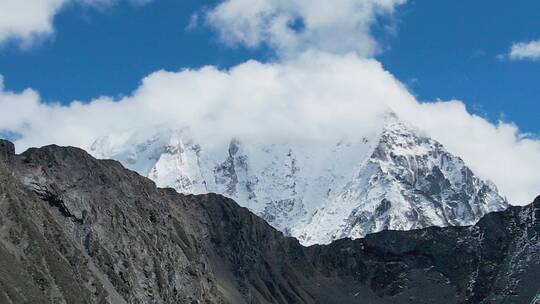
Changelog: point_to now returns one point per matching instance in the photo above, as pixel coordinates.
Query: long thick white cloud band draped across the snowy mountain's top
(315, 96)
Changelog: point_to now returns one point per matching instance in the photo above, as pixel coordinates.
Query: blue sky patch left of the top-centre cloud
(107, 52)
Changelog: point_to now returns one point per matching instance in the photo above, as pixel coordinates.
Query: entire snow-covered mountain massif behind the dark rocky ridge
(392, 178)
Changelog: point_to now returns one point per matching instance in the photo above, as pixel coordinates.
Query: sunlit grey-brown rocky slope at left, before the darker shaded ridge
(78, 230)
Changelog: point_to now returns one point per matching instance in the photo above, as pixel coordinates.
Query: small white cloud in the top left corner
(29, 20)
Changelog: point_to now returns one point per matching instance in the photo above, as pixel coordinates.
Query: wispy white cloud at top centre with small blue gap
(293, 26)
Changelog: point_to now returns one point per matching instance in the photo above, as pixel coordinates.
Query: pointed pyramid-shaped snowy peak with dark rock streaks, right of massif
(409, 181)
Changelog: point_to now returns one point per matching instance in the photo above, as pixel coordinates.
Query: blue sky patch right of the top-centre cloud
(449, 49)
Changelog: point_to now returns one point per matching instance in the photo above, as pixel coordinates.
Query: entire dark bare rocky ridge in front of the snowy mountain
(74, 229)
